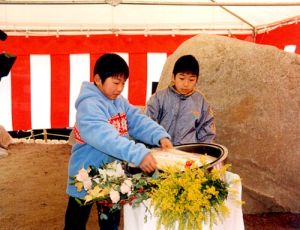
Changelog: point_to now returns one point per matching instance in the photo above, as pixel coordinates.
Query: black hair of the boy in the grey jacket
(186, 64)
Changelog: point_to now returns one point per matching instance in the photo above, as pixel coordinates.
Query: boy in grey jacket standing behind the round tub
(180, 109)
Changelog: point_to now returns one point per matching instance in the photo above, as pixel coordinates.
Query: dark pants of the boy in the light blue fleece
(77, 216)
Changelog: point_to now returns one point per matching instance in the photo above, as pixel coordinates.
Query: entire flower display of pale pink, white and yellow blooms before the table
(187, 197)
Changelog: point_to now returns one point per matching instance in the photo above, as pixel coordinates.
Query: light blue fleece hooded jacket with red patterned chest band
(102, 132)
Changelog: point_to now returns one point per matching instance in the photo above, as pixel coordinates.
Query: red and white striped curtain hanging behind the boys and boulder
(40, 91)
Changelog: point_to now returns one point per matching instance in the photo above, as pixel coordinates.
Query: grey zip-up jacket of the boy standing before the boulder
(187, 118)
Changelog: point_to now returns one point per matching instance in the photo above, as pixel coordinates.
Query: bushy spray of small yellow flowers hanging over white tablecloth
(188, 198)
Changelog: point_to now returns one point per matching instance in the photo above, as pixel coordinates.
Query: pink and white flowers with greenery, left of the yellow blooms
(111, 187)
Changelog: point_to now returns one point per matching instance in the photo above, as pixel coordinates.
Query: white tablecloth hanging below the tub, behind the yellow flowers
(134, 218)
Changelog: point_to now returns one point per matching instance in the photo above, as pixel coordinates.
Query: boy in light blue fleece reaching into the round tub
(104, 121)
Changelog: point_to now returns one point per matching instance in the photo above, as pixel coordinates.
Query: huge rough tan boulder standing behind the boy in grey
(255, 93)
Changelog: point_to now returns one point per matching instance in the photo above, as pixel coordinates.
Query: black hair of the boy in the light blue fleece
(109, 65)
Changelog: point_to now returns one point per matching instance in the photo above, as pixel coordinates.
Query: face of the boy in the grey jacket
(185, 83)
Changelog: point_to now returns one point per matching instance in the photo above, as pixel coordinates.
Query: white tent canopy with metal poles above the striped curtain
(45, 17)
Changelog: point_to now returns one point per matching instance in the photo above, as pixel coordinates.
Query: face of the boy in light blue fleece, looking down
(112, 86)
